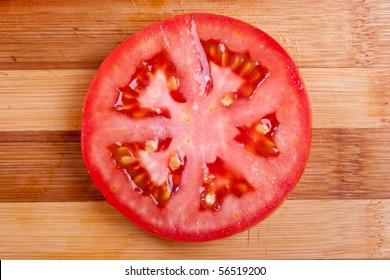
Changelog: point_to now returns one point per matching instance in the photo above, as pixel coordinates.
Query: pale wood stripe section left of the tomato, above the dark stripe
(42, 100)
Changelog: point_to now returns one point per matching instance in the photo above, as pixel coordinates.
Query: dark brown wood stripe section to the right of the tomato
(347, 163)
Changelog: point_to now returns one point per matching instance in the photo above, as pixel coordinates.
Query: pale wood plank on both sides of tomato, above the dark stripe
(53, 99)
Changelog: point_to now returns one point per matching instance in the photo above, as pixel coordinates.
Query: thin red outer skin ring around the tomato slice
(108, 66)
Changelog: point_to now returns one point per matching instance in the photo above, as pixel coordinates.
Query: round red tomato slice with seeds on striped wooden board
(197, 127)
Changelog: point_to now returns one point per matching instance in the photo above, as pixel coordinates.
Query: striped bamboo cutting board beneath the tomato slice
(49, 208)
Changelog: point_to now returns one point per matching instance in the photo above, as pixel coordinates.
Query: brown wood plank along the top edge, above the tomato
(67, 35)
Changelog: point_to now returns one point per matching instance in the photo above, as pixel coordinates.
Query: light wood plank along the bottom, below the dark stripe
(310, 229)
